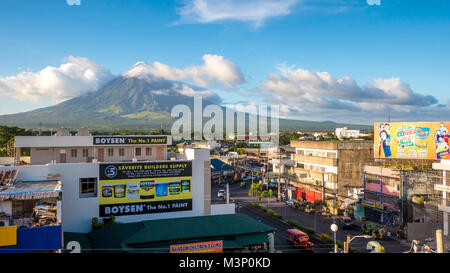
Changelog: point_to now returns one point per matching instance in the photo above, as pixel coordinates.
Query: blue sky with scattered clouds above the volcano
(404, 44)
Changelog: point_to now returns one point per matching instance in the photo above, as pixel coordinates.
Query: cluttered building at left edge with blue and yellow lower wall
(30, 214)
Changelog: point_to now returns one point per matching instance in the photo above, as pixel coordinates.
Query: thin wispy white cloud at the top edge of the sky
(254, 11)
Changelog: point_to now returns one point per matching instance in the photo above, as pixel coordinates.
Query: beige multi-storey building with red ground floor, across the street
(326, 169)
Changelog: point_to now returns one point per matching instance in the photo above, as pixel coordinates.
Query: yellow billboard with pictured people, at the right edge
(417, 140)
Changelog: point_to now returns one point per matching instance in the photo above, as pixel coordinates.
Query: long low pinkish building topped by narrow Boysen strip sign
(83, 147)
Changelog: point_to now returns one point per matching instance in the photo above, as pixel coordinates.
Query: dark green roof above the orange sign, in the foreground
(157, 235)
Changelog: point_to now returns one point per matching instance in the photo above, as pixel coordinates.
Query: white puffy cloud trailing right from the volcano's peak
(215, 71)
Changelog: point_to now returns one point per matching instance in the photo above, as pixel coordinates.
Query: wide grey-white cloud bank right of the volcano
(319, 96)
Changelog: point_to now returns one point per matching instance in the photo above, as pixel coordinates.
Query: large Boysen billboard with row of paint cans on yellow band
(142, 188)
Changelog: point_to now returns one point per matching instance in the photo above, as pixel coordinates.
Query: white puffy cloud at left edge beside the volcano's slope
(76, 76)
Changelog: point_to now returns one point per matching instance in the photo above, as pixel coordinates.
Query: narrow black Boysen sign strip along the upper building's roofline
(131, 140)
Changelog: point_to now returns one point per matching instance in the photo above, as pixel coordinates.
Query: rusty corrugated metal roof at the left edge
(31, 190)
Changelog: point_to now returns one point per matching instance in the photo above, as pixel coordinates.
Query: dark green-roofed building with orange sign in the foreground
(216, 233)
